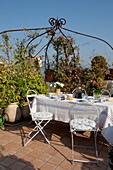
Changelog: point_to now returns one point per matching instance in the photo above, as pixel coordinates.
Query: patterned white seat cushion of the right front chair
(82, 124)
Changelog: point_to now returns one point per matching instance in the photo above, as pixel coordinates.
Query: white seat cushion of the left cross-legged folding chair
(42, 116)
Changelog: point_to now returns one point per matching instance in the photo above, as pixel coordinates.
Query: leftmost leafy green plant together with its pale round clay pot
(9, 95)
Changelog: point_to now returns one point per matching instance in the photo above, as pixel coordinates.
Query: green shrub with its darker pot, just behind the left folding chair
(29, 77)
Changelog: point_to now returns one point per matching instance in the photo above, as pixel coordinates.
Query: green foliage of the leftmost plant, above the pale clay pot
(8, 86)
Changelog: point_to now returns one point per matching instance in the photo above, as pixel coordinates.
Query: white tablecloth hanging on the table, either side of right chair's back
(60, 109)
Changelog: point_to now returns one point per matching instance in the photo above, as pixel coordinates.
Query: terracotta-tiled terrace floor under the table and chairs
(41, 156)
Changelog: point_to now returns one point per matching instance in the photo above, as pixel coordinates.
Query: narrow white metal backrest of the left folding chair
(30, 96)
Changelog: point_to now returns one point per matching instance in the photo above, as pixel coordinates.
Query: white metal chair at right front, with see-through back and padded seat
(84, 117)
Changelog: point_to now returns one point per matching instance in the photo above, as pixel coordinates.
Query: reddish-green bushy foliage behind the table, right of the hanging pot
(74, 75)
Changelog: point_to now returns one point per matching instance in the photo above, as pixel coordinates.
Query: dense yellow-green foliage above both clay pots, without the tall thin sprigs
(16, 79)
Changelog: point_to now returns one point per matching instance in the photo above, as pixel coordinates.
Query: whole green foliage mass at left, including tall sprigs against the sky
(19, 76)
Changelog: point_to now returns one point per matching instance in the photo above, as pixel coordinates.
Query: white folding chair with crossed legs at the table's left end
(37, 117)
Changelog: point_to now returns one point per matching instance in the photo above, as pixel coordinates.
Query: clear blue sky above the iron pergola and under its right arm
(94, 17)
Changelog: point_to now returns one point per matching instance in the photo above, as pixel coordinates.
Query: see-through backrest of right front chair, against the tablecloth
(84, 111)
